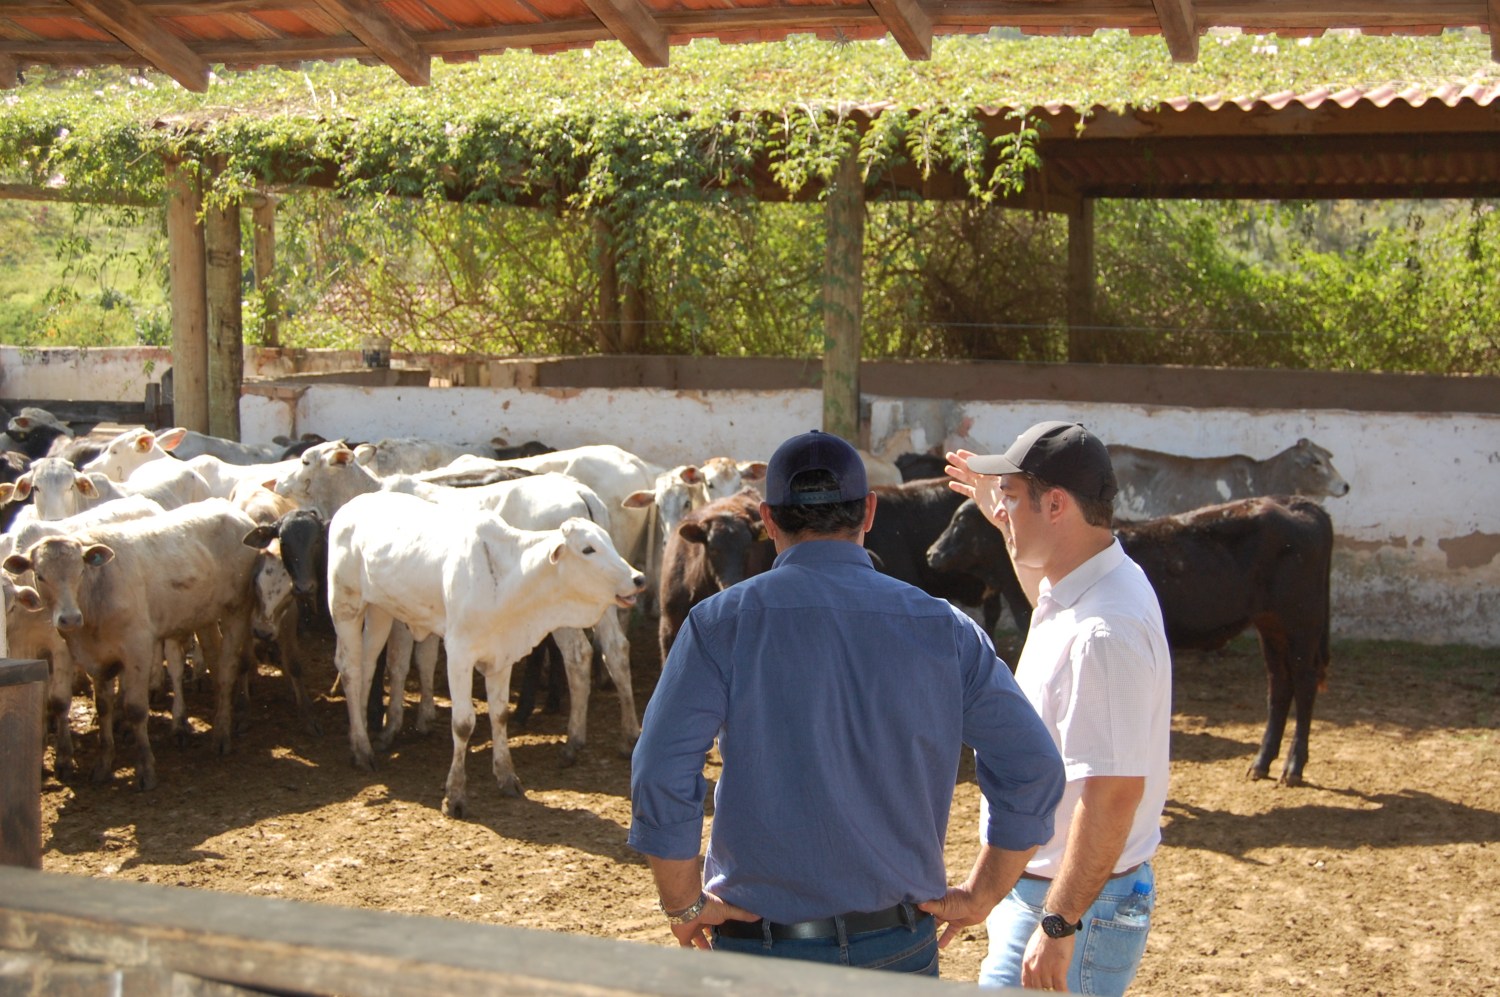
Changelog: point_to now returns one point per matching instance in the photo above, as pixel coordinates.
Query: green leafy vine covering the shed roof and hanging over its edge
(592, 130)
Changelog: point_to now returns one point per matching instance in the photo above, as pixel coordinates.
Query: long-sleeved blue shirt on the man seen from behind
(841, 699)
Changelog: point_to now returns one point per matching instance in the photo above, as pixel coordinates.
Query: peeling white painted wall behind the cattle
(1418, 554)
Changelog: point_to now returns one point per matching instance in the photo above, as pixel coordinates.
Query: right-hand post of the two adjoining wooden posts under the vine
(226, 319)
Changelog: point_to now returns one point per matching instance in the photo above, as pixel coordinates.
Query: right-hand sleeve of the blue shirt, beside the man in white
(1018, 764)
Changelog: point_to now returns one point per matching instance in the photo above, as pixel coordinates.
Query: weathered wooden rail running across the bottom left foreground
(86, 936)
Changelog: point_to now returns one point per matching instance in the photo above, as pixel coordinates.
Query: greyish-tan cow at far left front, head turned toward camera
(118, 591)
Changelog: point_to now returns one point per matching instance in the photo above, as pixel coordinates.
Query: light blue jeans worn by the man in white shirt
(1106, 954)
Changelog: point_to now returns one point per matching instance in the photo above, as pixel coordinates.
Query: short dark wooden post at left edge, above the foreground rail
(23, 698)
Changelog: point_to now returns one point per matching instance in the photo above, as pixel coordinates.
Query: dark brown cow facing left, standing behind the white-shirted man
(1258, 563)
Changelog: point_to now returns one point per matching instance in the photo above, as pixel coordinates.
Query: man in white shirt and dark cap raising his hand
(1099, 672)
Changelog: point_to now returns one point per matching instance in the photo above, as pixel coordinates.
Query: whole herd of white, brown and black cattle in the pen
(119, 555)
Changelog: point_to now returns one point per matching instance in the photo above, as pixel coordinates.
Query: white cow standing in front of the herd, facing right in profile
(488, 590)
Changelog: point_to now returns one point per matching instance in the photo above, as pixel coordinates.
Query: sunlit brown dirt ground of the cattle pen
(1378, 878)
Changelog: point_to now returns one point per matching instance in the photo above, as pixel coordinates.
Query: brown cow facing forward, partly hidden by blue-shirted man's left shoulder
(713, 548)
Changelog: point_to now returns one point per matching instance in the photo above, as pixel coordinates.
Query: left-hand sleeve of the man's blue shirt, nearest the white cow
(667, 770)
